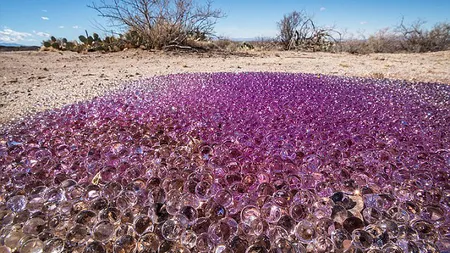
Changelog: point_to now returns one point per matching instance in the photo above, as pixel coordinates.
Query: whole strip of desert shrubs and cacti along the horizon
(188, 25)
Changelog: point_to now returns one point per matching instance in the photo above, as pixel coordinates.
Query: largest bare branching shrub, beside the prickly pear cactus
(161, 22)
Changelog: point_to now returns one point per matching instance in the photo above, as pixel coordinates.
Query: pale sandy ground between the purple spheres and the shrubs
(35, 81)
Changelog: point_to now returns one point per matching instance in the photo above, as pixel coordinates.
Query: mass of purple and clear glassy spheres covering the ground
(249, 162)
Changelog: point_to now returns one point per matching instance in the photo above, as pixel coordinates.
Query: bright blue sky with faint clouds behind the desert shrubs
(29, 22)
